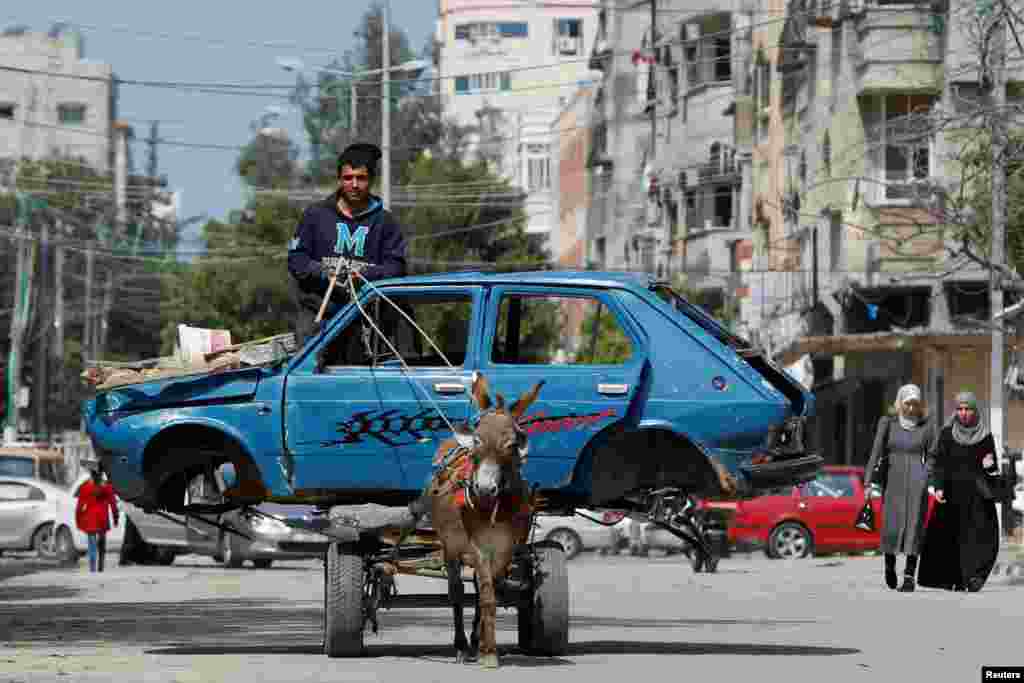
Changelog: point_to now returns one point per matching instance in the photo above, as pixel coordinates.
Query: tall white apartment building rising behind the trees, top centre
(508, 68)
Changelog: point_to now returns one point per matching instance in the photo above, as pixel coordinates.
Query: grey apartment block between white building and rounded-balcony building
(665, 173)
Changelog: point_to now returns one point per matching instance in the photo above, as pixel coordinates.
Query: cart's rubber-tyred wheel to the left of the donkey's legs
(343, 603)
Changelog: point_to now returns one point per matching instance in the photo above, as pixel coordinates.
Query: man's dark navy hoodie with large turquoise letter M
(325, 235)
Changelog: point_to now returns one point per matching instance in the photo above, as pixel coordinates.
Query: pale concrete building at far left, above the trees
(53, 101)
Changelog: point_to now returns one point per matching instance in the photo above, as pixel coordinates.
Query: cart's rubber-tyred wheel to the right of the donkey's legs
(544, 611)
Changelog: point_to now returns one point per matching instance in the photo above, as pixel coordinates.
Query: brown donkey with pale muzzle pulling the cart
(481, 509)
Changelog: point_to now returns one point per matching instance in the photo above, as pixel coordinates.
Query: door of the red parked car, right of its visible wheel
(829, 505)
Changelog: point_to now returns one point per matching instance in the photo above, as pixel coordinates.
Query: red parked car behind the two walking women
(817, 517)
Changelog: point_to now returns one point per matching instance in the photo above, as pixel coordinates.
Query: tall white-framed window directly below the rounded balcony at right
(906, 143)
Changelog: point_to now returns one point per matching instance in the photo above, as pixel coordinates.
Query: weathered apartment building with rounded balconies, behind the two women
(859, 285)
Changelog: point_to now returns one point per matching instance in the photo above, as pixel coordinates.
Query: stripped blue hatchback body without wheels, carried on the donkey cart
(353, 429)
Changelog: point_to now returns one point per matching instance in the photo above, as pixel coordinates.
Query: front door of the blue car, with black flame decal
(358, 417)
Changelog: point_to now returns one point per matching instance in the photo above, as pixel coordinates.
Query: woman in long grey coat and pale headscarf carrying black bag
(899, 466)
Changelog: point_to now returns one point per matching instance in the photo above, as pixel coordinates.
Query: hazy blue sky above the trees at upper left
(211, 41)
